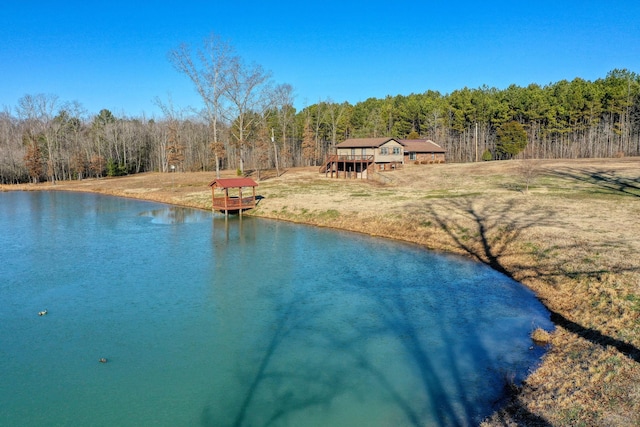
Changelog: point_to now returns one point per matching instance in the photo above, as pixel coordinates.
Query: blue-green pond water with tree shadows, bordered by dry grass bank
(213, 322)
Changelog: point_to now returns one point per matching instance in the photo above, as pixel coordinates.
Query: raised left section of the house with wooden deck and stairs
(355, 157)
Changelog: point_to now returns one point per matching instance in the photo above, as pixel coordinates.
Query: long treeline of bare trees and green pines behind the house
(42, 138)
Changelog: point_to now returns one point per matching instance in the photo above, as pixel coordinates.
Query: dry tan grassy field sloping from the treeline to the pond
(573, 237)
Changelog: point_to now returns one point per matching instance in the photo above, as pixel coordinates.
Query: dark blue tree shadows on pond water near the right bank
(451, 396)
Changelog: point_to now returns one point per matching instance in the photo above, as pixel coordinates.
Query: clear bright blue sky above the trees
(114, 54)
